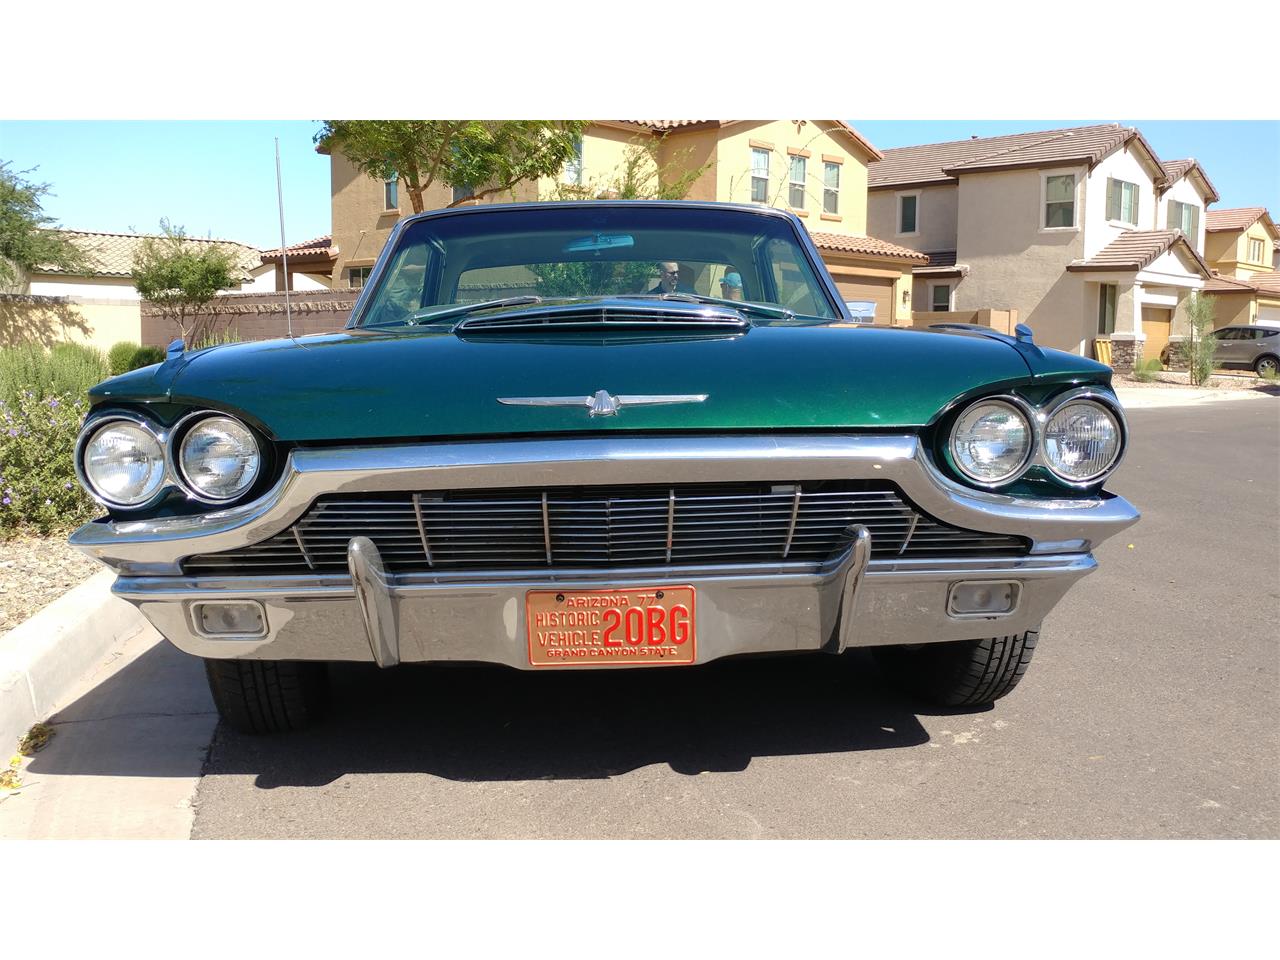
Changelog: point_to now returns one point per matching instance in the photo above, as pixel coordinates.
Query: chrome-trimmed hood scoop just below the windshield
(597, 319)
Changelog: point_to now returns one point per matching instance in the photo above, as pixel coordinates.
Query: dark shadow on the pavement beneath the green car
(491, 724)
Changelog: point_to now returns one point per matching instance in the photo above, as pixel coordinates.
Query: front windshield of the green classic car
(597, 252)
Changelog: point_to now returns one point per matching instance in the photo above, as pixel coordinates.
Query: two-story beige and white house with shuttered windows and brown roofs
(1084, 231)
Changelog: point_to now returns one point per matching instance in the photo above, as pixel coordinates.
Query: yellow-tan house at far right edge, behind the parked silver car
(1241, 246)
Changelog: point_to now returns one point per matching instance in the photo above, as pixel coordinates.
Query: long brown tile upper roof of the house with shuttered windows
(940, 163)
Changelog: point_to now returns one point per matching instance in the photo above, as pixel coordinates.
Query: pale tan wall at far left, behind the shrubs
(47, 321)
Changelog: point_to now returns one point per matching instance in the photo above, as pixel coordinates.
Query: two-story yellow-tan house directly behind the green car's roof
(815, 168)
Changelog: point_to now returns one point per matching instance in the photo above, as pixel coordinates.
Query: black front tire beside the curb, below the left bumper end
(268, 697)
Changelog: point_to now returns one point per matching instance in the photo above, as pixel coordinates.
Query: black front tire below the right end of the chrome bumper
(963, 673)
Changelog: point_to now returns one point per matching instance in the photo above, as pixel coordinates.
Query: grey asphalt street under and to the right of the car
(1153, 710)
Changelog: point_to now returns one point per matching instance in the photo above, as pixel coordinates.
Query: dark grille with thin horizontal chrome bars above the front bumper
(615, 527)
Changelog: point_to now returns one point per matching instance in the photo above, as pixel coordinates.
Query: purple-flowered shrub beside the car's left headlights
(39, 492)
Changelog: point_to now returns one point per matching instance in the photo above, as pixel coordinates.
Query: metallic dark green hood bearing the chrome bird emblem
(418, 383)
